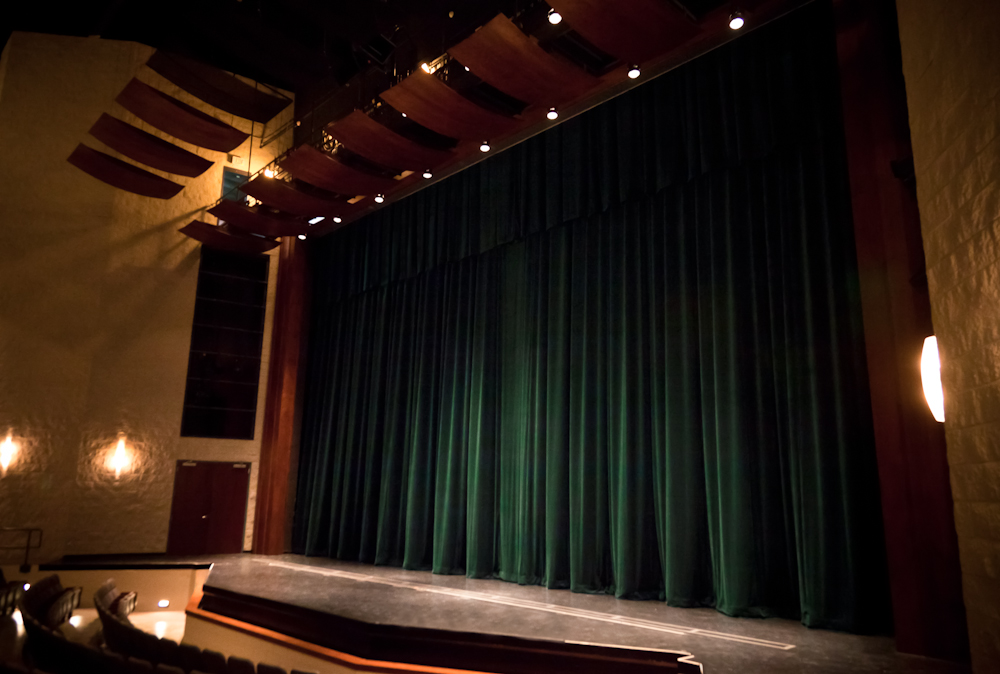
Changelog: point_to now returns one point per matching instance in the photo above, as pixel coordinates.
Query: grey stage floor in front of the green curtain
(418, 599)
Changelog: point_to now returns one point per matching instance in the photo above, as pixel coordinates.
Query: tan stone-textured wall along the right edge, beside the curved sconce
(951, 62)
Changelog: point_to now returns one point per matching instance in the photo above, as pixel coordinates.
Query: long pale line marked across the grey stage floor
(569, 611)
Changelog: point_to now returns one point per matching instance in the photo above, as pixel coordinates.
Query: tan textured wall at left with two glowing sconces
(97, 293)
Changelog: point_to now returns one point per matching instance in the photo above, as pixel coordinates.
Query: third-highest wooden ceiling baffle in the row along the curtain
(432, 103)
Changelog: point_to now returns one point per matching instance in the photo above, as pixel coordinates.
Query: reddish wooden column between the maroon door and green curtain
(279, 434)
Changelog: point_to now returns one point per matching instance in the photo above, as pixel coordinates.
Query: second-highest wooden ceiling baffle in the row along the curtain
(503, 56)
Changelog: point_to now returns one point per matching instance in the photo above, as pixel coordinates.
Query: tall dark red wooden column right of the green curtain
(921, 544)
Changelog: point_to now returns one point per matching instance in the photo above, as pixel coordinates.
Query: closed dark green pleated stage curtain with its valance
(625, 356)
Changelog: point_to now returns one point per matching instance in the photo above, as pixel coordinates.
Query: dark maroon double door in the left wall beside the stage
(209, 510)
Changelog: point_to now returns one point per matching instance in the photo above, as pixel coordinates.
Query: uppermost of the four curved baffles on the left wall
(217, 87)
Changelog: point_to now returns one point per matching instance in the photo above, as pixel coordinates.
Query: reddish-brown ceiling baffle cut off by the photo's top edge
(632, 30)
